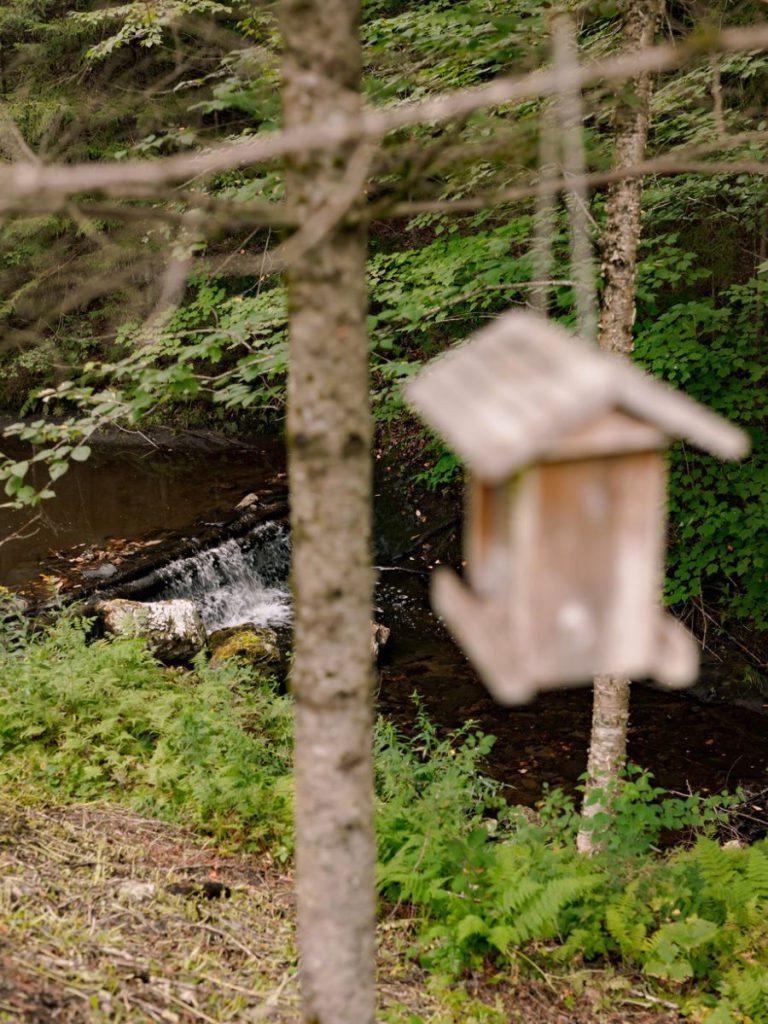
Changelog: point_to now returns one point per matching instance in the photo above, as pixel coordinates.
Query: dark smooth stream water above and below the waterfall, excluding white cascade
(134, 491)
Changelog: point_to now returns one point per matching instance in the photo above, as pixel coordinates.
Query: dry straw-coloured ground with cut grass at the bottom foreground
(106, 916)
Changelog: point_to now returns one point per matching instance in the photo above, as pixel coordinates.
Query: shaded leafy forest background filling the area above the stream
(87, 333)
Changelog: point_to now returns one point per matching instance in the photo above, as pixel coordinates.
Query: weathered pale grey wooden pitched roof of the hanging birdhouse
(510, 394)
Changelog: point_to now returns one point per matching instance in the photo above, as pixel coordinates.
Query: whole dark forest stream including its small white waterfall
(133, 495)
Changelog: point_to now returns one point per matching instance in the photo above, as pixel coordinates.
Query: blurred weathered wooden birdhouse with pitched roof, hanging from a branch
(566, 519)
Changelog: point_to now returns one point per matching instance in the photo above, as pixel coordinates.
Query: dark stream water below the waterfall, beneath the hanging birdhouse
(686, 743)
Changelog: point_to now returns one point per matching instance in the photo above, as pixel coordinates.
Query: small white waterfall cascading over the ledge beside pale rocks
(241, 581)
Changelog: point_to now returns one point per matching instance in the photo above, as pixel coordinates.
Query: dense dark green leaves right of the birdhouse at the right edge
(713, 350)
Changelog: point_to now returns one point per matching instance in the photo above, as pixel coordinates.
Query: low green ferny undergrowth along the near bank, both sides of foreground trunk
(490, 882)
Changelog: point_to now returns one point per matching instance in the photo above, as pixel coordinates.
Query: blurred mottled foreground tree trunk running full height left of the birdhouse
(329, 437)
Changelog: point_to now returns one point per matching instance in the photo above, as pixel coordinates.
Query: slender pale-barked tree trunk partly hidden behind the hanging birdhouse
(611, 708)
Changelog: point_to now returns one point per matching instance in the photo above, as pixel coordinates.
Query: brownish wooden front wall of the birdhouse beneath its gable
(585, 570)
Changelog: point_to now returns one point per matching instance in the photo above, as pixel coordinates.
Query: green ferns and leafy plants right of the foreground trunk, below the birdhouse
(491, 880)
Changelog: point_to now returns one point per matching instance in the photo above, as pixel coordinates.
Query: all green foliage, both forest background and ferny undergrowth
(89, 343)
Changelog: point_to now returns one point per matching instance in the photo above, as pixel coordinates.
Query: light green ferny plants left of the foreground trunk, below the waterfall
(107, 720)
